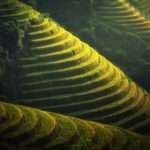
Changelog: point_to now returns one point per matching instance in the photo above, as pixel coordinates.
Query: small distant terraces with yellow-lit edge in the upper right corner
(122, 14)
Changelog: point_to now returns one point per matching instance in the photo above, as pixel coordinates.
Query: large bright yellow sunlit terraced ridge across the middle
(60, 73)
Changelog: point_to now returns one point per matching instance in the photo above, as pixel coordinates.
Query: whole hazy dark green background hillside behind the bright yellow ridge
(115, 38)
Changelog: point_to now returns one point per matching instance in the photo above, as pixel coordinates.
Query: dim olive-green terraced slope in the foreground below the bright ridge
(26, 127)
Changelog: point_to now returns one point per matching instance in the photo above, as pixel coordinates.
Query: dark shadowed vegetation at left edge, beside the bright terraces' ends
(11, 46)
